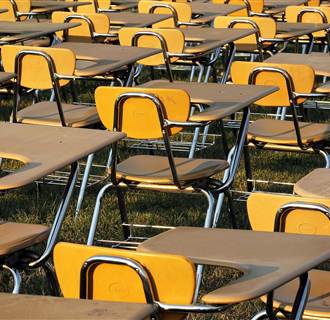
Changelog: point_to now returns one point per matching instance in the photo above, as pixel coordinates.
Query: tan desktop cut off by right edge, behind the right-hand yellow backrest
(320, 62)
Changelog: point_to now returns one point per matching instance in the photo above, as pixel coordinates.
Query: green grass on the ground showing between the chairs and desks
(29, 206)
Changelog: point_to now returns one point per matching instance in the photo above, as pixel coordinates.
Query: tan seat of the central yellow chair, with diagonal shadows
(156, 169)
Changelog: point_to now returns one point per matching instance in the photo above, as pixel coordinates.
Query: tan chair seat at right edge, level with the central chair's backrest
(283, 132)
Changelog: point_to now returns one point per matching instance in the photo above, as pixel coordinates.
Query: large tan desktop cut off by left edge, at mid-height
(44, 149)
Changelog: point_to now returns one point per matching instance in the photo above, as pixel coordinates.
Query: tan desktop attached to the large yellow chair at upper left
(96, 59)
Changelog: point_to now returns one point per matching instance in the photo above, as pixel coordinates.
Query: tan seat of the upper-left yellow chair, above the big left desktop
(46, 113)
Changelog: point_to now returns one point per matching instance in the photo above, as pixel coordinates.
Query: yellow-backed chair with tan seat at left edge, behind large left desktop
(45, 69)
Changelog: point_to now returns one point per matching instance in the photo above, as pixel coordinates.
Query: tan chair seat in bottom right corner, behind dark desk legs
(318, 305)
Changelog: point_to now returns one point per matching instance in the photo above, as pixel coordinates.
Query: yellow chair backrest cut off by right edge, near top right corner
(308, 15)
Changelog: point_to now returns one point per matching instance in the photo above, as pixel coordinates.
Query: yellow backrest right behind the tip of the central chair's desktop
(240, 73)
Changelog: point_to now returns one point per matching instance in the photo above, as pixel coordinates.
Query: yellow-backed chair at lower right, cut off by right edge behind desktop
(295, 214)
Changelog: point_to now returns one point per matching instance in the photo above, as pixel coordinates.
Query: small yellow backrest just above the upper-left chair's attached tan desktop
(90, 23)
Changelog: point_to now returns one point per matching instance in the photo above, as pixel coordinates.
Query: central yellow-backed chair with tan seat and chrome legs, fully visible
(158, 114)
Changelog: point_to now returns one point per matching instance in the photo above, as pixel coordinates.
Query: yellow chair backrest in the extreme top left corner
(14, 6)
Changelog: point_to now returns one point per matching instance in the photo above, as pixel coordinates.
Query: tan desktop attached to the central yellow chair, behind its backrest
(223, 99)
